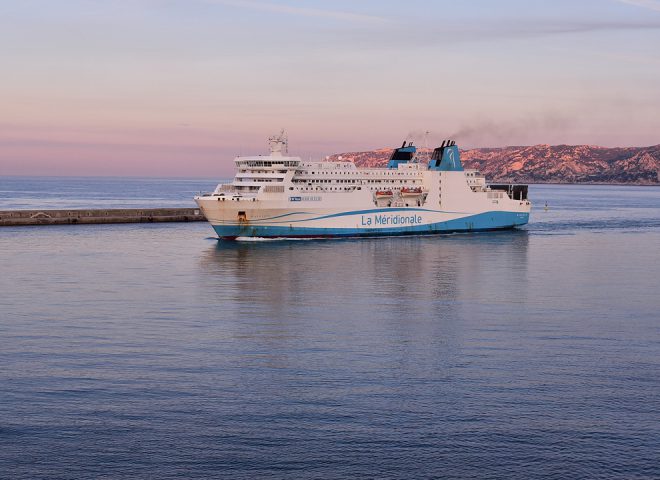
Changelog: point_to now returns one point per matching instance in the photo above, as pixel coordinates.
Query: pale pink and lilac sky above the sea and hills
(180, 87)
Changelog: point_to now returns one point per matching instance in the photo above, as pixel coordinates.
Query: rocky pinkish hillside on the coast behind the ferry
(548, 164)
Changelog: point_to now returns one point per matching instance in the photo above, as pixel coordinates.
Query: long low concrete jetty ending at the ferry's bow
(80, 217)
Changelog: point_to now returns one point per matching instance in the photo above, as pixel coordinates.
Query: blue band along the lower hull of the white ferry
(473, 223)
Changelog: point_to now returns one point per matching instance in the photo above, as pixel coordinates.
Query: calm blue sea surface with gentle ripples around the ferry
(155, 351)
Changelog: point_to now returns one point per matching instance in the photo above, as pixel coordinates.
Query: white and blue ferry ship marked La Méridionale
(279, 196)
